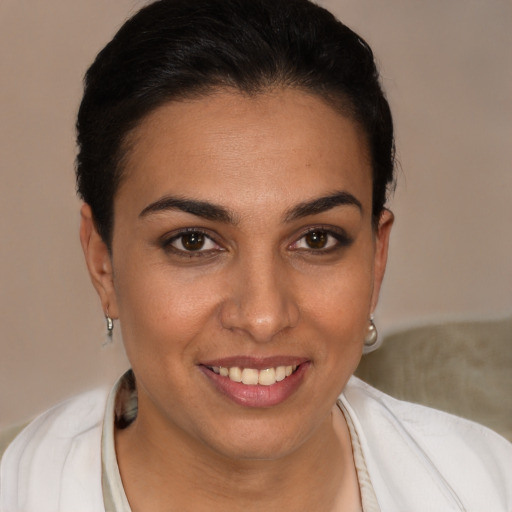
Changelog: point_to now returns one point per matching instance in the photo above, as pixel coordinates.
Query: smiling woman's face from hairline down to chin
(243, 248)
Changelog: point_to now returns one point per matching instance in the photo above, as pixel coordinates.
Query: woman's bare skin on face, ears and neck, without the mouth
(256, 289)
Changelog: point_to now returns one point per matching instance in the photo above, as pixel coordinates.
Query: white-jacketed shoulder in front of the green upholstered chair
(419, 450)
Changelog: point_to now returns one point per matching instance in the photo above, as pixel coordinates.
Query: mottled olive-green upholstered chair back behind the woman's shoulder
(464, 368)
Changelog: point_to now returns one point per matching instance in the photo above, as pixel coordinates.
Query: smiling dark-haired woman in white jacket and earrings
(234, 160)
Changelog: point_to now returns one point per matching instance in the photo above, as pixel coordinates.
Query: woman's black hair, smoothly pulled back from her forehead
(175, 49)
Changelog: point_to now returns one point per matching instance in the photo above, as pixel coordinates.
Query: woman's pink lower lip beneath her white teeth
(258, 395)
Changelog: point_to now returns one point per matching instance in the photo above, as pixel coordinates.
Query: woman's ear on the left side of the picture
(99, 262)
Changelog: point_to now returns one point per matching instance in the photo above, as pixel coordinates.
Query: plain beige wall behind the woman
(447, 69)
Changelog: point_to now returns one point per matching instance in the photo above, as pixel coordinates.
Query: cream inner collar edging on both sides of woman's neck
(113, 491)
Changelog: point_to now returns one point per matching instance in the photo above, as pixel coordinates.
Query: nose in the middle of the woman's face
(261, 302)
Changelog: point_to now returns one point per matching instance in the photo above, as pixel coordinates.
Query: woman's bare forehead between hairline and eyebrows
(228, 146)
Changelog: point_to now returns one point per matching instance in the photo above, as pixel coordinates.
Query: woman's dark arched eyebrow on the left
(203, 209)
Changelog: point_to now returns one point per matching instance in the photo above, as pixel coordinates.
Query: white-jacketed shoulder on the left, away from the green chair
(57, 455)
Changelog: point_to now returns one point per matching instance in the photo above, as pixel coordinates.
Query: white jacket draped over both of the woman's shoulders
(418, 459)
